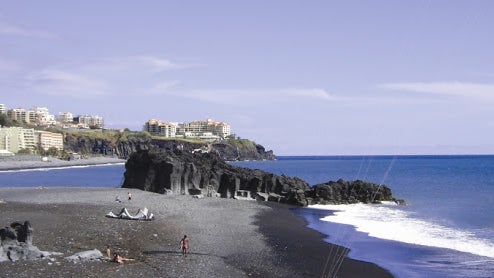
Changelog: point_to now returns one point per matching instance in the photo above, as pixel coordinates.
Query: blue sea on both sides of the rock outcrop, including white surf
(445, 230)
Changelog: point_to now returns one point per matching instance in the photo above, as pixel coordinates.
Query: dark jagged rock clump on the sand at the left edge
(16, 244)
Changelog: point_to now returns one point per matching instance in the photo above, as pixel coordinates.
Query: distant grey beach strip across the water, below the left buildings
(37, 162)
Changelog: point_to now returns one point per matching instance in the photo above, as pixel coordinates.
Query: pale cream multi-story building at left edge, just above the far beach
(14, 139)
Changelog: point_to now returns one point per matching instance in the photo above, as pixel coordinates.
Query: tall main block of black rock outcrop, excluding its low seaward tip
(185, 172)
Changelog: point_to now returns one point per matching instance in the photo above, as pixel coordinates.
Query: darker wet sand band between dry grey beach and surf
(310, 251)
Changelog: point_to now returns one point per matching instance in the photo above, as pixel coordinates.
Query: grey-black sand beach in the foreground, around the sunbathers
(228, 238)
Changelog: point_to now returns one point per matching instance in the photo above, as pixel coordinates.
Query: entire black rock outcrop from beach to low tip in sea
(183, 172)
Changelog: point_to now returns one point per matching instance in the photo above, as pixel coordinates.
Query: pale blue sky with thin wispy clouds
(298, 77)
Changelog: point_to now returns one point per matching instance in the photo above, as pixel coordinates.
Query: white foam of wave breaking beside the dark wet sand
(389, 222)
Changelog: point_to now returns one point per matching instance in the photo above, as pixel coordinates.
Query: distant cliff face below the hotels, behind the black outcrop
(123, 147)
